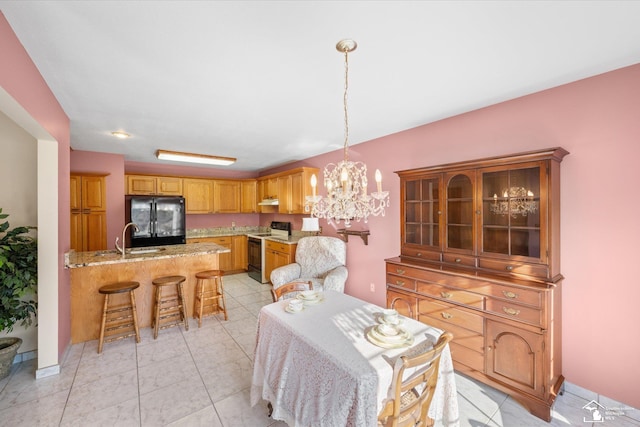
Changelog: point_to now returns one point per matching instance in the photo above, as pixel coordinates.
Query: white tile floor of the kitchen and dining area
(201, 377)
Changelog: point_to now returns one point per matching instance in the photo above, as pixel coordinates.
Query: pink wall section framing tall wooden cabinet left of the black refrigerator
(113, 165)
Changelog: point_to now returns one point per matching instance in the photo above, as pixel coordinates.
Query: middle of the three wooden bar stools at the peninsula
(169, 308)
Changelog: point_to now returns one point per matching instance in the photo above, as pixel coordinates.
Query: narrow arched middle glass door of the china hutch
(460, 189)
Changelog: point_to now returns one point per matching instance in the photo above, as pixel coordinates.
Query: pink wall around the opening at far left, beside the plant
(20, 78)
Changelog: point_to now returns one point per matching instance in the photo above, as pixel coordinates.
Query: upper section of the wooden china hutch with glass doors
(497, 214)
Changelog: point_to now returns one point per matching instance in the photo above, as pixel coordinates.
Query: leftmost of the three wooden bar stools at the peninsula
(118, 321)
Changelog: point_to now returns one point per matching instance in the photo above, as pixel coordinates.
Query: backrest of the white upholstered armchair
(319, 254)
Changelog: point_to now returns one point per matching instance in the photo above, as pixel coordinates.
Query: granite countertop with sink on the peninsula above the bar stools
(75, 259)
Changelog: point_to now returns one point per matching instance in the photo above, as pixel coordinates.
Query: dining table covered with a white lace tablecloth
(320, 366)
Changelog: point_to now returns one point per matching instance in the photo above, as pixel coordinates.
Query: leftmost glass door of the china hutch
(422, 212)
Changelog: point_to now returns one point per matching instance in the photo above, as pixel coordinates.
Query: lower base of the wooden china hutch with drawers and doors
(506, 330)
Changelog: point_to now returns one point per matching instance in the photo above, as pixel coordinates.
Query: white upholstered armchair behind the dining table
(320, 260)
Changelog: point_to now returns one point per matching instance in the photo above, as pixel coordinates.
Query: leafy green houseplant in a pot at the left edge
(18, 286)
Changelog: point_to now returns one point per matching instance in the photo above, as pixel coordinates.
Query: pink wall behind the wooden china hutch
(597, 121)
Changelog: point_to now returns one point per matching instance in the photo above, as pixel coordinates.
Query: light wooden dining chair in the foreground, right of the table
(409, 399)
